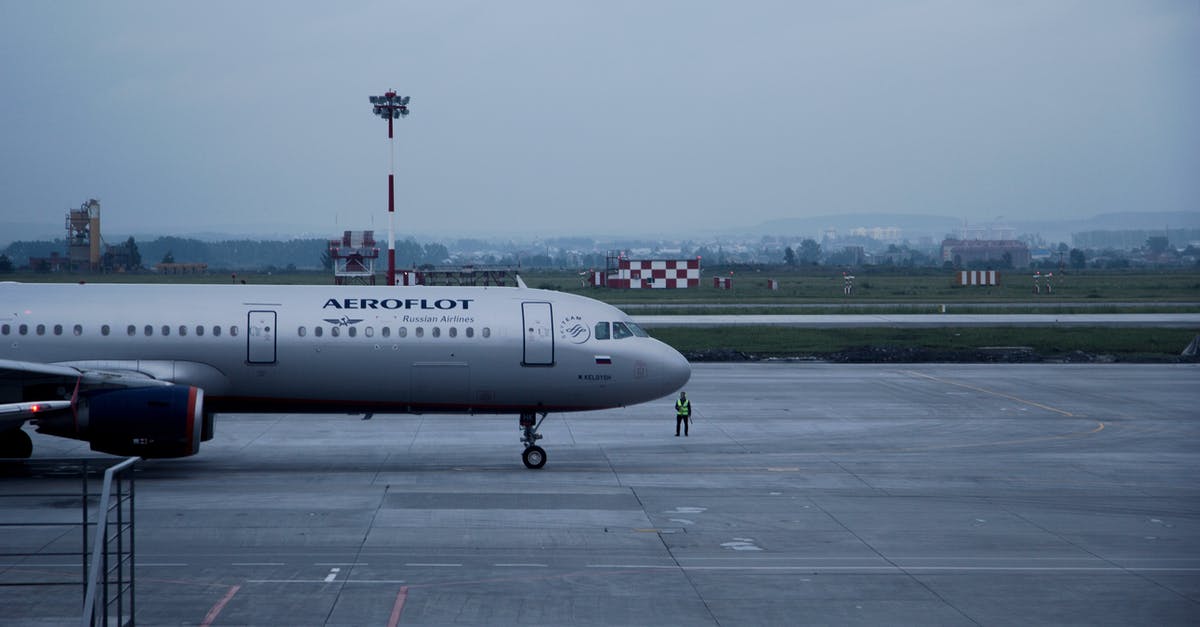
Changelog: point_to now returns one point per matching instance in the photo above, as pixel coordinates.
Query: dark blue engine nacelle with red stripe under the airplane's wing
(155, 422)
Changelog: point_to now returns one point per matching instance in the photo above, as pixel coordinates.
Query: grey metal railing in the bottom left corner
(46, 526)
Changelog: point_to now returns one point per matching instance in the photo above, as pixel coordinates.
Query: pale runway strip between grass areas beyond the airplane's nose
(832, 321)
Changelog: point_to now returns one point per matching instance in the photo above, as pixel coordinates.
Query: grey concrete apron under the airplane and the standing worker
(818, 494)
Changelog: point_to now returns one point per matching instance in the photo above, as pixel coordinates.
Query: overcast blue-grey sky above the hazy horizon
(595, 118)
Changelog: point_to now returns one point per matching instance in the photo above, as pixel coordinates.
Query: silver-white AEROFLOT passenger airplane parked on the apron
(141, 369)
